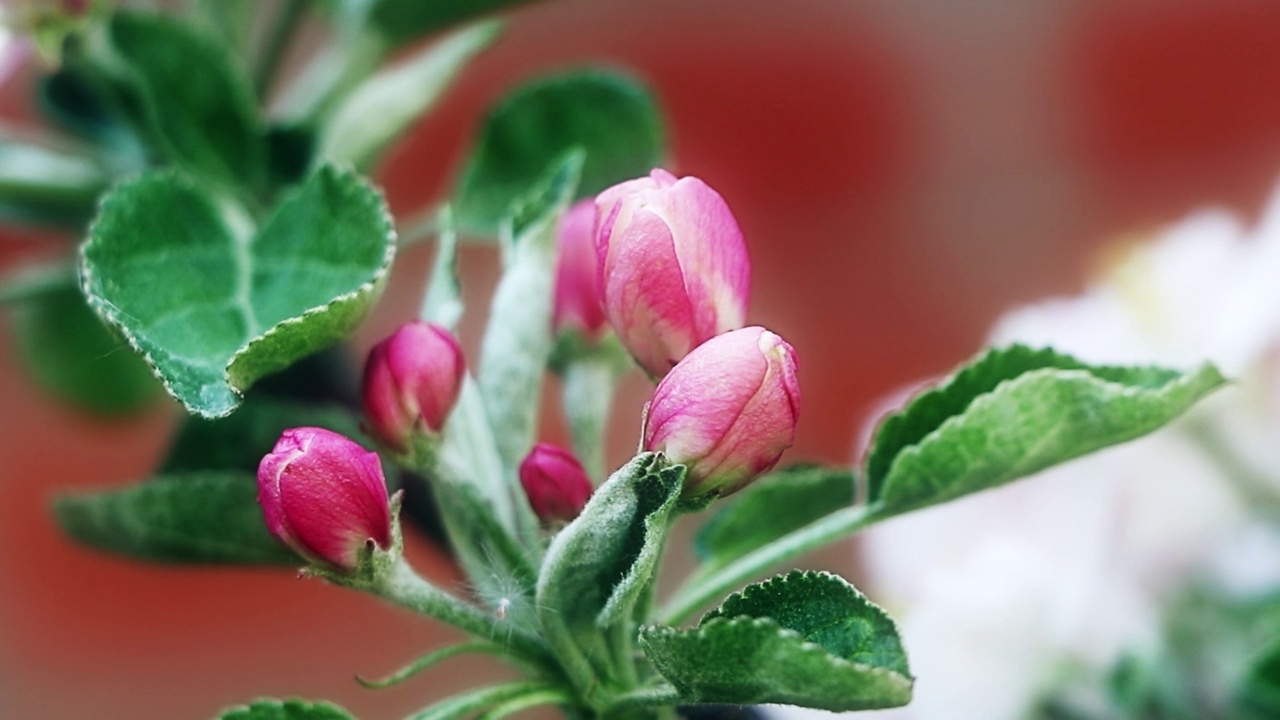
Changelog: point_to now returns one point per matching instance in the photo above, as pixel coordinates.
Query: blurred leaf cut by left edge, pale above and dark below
(42, 185)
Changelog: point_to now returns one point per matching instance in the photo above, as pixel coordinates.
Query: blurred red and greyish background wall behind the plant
(903, 172)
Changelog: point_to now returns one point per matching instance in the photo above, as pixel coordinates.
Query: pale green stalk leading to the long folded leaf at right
(703, 589)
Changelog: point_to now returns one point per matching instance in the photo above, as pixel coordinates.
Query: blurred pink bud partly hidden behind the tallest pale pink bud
(578, 302)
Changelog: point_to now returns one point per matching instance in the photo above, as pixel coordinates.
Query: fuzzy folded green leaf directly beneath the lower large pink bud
(601, 564)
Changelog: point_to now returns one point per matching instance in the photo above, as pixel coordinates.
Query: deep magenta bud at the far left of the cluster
(324, 496)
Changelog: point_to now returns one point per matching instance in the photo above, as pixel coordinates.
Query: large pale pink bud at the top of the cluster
(671, 267)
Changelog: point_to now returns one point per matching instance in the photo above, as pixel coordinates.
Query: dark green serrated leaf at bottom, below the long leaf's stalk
(806, 639)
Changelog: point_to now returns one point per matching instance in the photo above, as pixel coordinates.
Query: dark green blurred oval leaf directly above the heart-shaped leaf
(195, 95)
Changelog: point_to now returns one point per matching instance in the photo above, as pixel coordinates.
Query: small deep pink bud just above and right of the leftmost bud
(413, 377)
